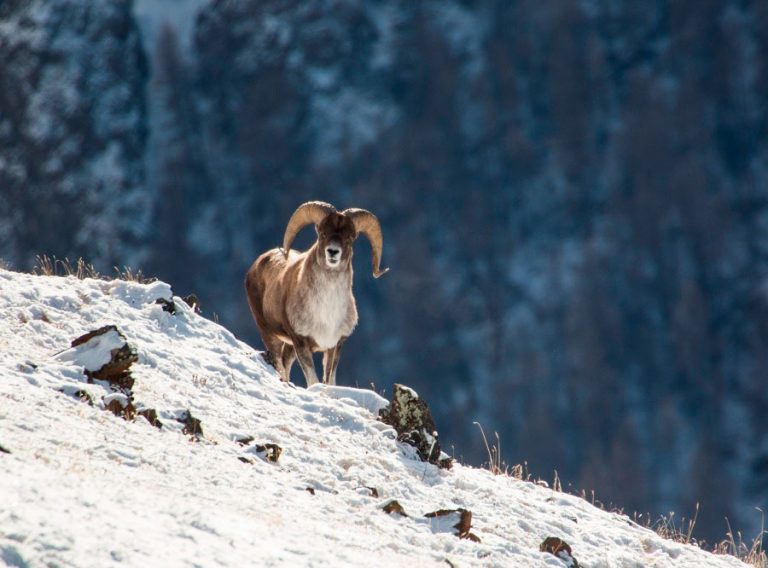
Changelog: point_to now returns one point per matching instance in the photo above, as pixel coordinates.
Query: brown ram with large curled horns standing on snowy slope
(302, 301)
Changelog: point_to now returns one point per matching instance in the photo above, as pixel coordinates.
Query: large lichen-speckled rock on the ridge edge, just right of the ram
(411, 418)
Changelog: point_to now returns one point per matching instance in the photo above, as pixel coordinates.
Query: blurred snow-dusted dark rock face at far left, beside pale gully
(72, 130)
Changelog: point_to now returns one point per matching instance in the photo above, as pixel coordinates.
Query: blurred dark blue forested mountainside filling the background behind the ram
(574, 199)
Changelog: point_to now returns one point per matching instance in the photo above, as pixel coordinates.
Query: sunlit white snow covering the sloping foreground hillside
(82, 487)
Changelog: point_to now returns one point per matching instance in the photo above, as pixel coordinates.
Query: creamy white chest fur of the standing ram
(328, 314)
